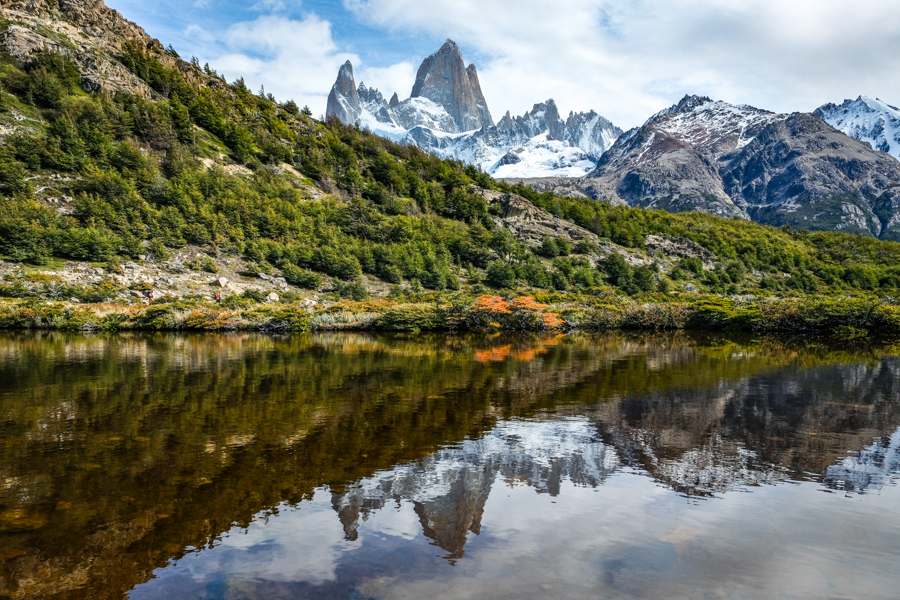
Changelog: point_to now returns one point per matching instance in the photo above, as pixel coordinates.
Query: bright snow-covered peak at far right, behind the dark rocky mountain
(867, 120)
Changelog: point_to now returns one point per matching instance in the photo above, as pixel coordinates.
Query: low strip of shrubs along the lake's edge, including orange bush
(846, 316)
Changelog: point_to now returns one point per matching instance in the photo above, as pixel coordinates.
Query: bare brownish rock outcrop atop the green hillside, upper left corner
(86, 30)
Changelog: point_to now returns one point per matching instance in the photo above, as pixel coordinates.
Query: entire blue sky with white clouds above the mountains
(626, 59)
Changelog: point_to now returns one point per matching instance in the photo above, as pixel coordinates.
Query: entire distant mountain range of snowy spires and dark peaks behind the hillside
(834, 169)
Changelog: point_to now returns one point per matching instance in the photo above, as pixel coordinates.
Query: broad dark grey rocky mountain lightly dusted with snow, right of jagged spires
(740, 161)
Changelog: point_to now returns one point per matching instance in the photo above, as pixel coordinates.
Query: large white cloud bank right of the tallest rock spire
(628, 60)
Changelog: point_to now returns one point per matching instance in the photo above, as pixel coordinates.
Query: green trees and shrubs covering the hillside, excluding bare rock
(236, 173)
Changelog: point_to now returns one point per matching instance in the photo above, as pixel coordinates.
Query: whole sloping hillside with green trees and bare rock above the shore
(176, 174)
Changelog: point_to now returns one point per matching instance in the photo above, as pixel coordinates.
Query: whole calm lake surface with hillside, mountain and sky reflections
(356, 466)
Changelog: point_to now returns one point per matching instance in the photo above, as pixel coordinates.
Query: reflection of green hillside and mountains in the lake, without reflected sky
(121, 453)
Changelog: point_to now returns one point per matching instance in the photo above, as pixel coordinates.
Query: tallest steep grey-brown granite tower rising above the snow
(444, 79)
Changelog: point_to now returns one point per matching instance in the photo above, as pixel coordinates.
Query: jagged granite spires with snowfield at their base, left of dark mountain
(447, 114)
